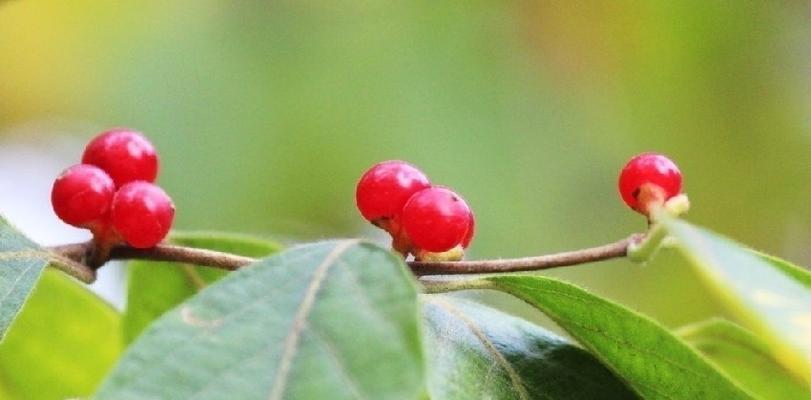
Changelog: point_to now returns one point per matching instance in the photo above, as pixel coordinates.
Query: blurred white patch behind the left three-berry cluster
(31, 157)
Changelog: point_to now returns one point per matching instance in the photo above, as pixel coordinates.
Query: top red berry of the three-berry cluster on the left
(126, 155)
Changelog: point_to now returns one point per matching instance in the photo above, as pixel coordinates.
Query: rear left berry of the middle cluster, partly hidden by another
(385, 188)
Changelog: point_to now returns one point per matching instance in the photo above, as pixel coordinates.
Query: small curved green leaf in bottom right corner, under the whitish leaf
(745, 358)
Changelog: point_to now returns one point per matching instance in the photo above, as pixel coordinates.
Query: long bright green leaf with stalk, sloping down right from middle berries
(646, 355)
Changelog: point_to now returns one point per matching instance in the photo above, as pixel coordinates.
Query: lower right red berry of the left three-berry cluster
(142, 214)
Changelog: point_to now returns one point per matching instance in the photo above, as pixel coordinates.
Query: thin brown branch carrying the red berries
(79, 252)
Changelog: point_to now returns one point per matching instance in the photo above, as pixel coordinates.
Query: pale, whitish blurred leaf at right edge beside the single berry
(771, 296)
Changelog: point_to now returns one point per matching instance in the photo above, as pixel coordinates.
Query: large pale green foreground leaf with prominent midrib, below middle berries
(332, 320)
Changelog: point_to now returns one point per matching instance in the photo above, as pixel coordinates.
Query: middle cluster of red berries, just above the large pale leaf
(421, 218)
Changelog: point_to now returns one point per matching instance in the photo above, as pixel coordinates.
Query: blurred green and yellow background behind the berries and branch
(266, 113)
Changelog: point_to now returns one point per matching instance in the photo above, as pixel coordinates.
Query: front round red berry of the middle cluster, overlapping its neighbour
(436, 219)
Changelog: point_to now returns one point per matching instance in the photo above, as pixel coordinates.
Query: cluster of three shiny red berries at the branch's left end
(112, 194)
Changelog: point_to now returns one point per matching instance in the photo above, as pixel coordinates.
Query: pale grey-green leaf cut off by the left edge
(21, 263)
